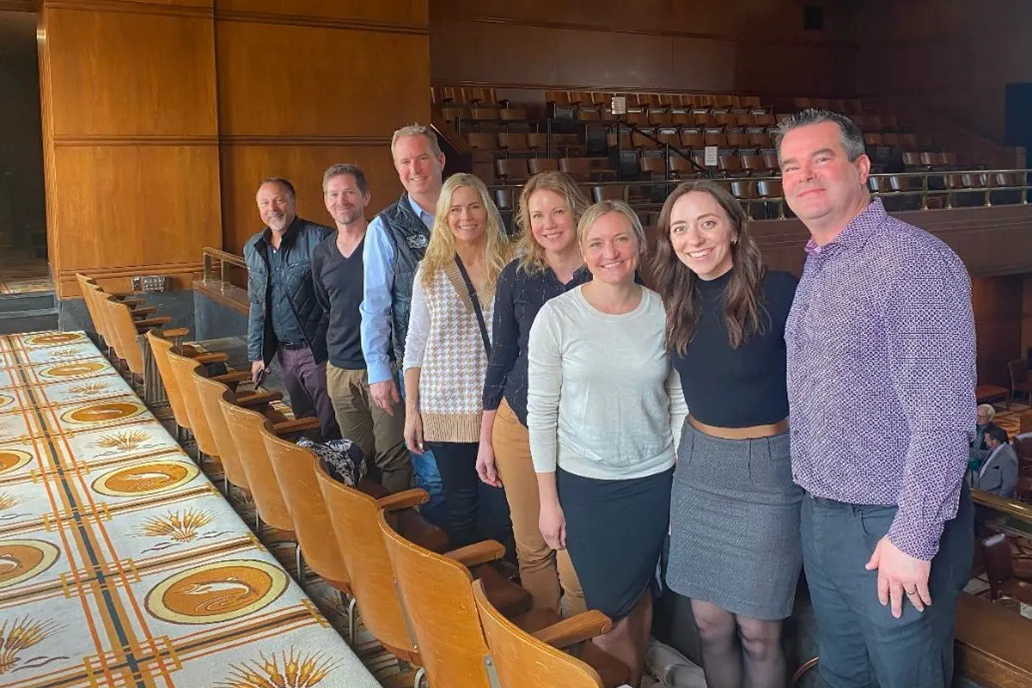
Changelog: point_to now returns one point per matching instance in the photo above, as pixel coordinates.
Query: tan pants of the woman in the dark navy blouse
(542, 570)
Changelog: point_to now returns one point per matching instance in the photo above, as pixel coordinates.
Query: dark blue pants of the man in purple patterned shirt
(860, 643)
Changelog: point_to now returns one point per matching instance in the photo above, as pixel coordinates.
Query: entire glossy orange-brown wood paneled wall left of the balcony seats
(162, 117)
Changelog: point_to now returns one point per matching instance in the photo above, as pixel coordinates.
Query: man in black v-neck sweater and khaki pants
(337, 270)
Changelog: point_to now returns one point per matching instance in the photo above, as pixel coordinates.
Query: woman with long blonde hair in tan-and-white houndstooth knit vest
(446, 356)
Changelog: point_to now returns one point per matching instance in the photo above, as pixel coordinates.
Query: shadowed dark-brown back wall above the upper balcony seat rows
(721, 46)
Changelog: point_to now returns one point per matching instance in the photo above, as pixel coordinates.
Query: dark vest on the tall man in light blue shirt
(409, 238)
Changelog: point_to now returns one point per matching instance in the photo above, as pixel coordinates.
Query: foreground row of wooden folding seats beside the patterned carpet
(418, 598)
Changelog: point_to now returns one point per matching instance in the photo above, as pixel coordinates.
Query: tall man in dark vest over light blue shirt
(396, 243)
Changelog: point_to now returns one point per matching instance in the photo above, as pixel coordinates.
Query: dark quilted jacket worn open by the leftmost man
(299, 243)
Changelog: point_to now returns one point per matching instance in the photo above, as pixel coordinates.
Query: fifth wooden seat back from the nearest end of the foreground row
(245, 428)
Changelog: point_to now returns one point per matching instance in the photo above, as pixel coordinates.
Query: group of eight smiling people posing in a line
(549, 400)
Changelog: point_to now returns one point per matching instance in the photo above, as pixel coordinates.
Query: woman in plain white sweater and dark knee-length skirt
(604, 408)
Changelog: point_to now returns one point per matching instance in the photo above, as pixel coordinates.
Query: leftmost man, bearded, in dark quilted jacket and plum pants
(285, 320)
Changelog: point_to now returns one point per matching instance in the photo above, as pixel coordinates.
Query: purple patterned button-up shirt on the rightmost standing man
(882, 375)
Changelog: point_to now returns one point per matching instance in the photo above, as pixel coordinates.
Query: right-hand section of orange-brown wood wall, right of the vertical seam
(304, 85)
